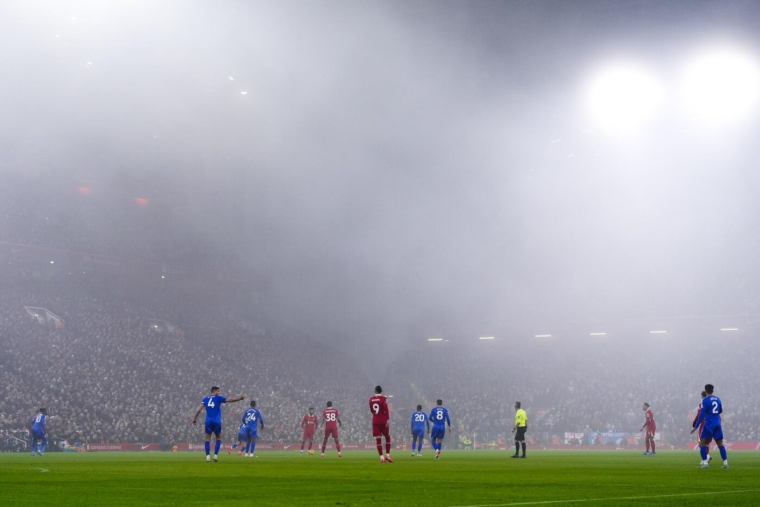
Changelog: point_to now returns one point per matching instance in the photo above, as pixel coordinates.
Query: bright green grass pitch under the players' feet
(459, 478)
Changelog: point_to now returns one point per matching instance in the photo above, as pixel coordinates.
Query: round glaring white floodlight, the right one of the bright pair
(720, 86)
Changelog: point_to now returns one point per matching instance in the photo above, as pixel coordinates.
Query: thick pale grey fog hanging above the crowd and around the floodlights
(369, 175)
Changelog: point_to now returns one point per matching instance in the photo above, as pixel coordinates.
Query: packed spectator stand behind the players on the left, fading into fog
(108, 375)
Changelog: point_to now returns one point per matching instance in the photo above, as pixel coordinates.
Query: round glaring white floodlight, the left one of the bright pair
(624, 97)
